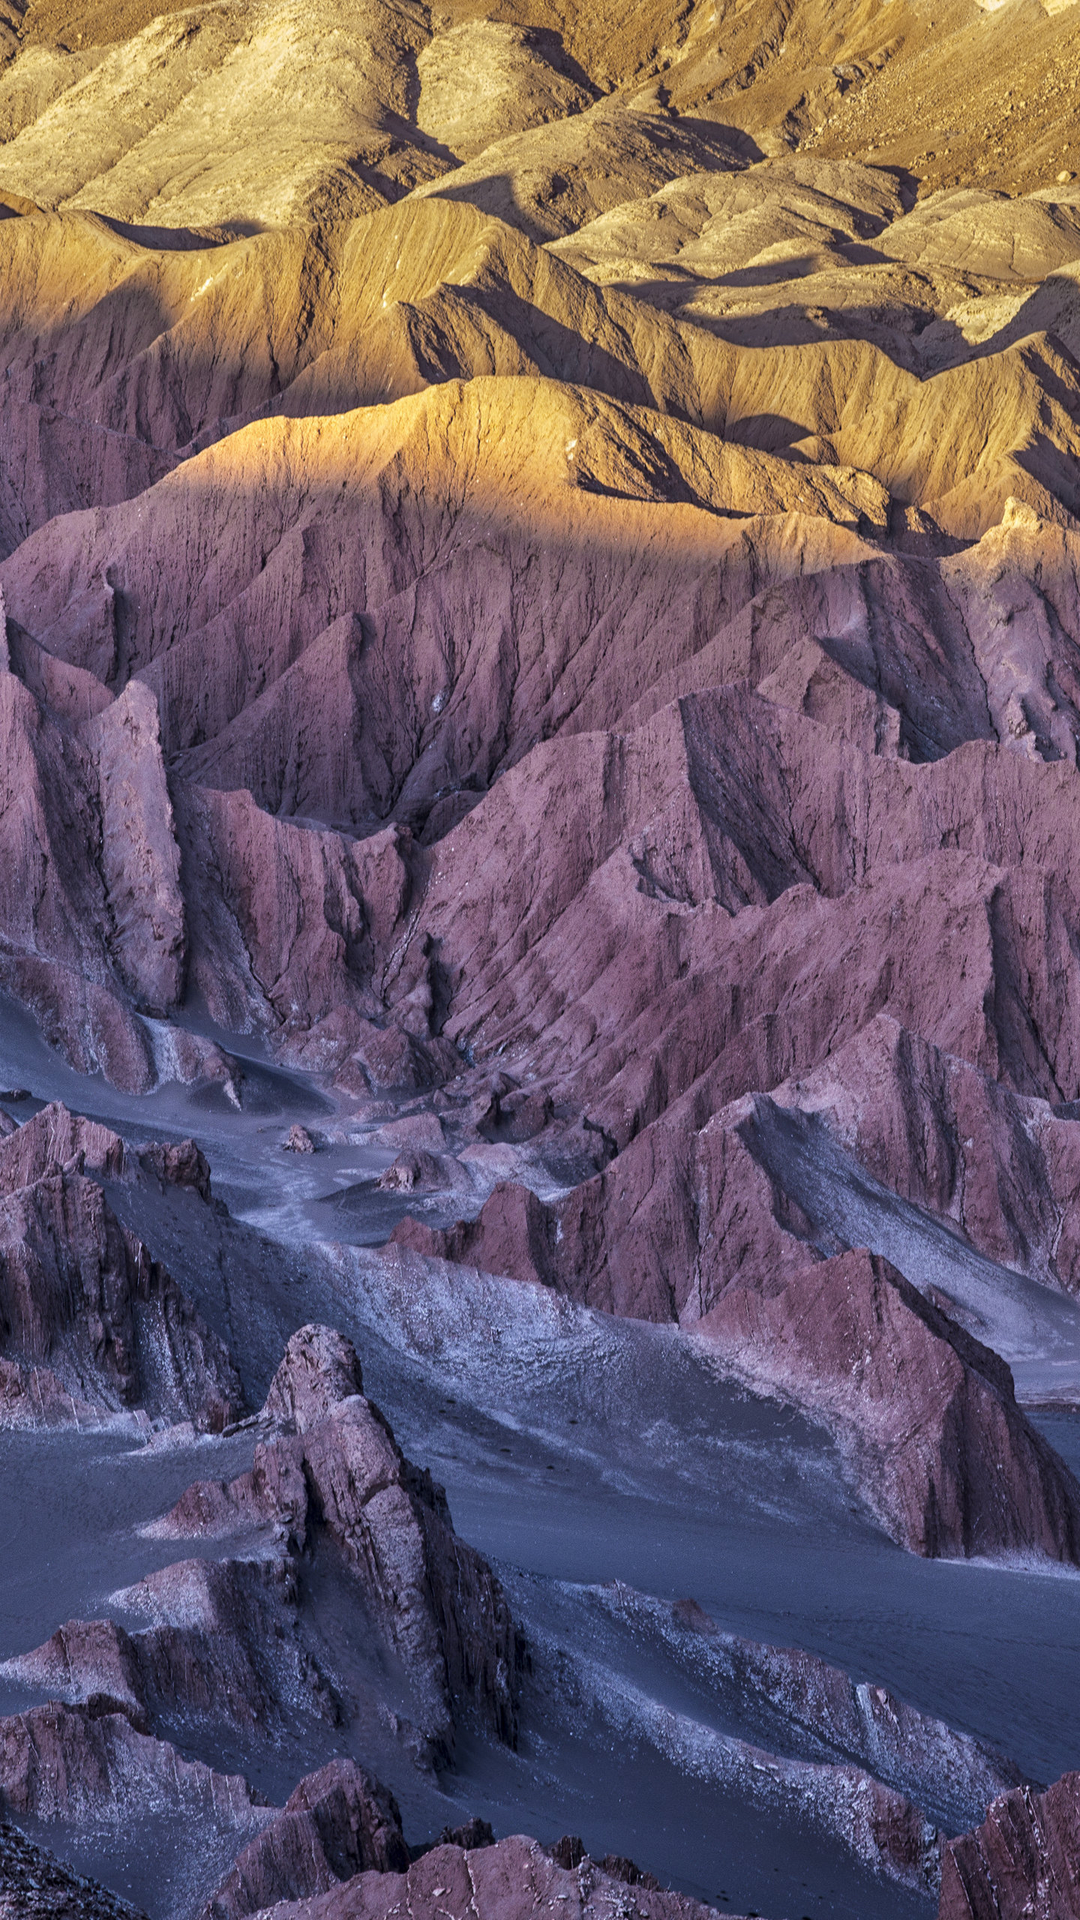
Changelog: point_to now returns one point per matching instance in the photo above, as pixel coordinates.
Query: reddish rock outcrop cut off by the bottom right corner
(1021, 1861)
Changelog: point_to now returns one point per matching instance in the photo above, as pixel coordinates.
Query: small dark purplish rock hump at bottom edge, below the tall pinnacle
(337, 1823)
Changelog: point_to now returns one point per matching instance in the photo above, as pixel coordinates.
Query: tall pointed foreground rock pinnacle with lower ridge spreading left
(228, 1641)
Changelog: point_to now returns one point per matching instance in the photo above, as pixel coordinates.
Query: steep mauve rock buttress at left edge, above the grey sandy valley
(91, 913)
